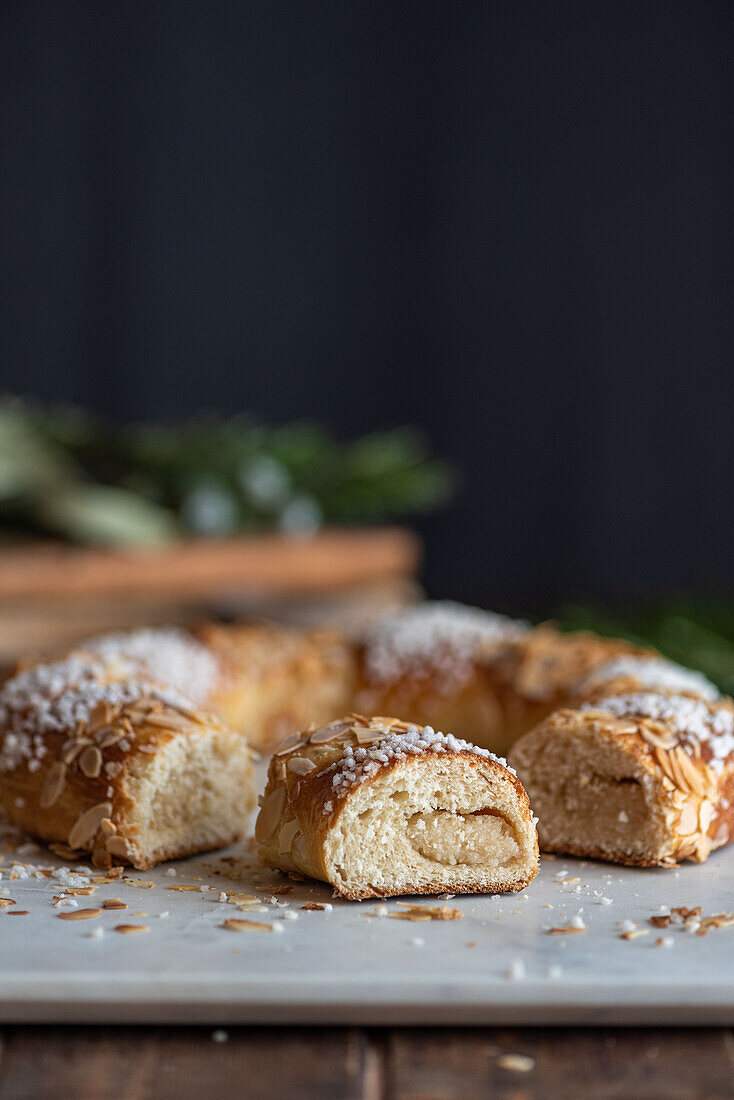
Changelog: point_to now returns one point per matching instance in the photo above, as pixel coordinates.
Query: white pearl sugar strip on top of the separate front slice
(361, 763)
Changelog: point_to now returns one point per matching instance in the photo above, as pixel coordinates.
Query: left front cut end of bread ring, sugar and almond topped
(96, 757)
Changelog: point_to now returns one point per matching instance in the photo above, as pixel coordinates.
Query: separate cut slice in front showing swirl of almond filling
(378, 808)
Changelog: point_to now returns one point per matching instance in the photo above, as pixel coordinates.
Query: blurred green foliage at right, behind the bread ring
(696, 632)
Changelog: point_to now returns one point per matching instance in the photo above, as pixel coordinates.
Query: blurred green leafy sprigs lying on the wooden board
(70, 475)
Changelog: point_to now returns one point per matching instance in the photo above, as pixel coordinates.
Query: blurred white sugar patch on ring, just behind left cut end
(170, 656)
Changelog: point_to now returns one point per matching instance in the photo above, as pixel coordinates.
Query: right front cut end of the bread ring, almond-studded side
(641, 779)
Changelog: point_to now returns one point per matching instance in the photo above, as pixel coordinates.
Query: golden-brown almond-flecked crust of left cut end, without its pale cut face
(76, 786)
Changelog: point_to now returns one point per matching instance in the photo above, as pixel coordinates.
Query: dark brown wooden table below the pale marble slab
(371, 1064)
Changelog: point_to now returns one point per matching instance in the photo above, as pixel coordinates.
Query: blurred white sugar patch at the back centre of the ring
(443, 637)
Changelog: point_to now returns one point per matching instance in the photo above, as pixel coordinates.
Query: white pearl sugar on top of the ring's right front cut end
(691, 720)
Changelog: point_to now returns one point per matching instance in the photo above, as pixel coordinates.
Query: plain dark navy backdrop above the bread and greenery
(510, 224)
